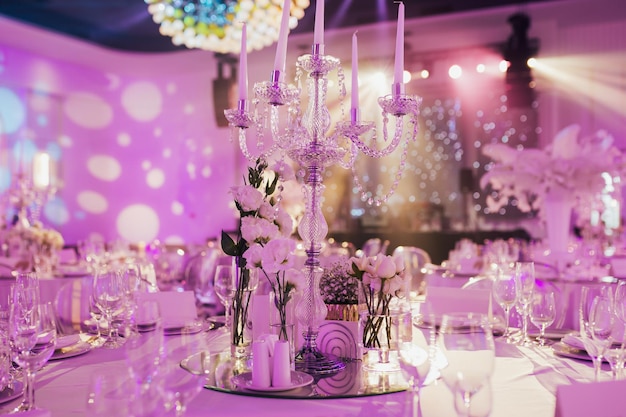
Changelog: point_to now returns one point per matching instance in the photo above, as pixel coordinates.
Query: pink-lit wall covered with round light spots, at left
(136, 151)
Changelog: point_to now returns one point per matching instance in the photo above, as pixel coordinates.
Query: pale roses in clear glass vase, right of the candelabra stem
(382, 278)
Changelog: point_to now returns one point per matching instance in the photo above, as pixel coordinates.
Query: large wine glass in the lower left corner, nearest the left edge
(32, 336)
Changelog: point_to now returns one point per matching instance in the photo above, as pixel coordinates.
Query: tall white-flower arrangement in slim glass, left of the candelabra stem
(263, 226)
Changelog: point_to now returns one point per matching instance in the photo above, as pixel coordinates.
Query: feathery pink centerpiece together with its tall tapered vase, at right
(567, 173)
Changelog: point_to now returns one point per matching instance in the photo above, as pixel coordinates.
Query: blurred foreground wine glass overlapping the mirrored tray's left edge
(180, 386)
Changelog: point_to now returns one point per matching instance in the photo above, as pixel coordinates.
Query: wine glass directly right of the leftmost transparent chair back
(109, 293)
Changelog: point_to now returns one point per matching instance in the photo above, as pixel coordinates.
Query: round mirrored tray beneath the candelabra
(353, 381)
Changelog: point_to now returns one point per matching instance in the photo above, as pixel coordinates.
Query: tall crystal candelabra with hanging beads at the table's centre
(303, 137)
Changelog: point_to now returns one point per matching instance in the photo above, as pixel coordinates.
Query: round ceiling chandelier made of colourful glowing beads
(210, 24)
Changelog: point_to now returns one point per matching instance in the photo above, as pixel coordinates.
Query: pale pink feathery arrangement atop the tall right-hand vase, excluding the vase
(569, 165)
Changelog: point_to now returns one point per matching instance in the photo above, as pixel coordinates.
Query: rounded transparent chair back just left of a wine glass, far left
(72, 305)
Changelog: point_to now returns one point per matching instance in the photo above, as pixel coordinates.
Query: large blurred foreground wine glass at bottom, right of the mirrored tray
(466, 341)
